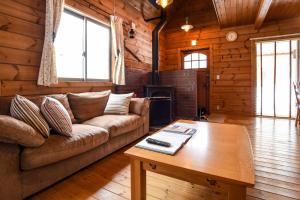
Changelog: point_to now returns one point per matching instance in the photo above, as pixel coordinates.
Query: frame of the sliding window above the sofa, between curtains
(87, 18)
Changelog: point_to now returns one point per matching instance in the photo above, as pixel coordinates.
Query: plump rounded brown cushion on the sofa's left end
(17, 132)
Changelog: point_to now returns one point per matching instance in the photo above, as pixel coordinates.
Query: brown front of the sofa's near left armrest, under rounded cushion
(10, 181)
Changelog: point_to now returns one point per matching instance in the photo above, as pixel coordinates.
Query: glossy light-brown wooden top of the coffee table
(217, 150)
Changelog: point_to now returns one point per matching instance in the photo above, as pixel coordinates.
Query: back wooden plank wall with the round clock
(234, 92)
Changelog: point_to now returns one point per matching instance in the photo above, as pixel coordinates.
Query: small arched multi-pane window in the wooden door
(195, 61)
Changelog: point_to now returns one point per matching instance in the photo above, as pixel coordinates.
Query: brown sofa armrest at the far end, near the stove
(139, 106)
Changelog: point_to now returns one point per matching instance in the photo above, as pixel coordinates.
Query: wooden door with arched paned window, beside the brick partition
(199, 60)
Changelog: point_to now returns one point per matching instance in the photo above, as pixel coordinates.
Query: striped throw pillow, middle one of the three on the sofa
(57, 116)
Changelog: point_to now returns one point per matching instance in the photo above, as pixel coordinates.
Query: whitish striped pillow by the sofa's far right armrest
(118, 104)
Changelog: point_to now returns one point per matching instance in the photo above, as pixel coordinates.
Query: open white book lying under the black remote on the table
(176, 141)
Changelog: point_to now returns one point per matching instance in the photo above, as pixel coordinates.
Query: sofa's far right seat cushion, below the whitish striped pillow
(117, 124)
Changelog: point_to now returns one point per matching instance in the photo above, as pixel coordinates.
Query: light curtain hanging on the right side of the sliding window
(118, 62)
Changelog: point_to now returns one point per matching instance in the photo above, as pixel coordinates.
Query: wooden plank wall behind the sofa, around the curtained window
(21, 41)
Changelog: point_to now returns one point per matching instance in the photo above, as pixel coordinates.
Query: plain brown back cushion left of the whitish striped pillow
(86, 106)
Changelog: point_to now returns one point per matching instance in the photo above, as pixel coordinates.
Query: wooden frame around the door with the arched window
(210, 67)
